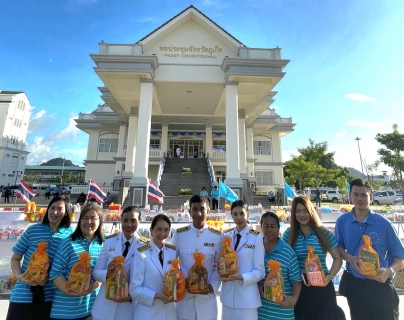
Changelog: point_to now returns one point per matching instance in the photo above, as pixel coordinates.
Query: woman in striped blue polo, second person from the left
(88, 237)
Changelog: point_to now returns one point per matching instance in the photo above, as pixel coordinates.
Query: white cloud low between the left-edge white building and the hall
(69, 142)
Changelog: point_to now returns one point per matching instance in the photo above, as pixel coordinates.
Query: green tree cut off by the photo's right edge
(391, 155)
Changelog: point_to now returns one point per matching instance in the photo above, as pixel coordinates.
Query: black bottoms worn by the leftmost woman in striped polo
(29, 311)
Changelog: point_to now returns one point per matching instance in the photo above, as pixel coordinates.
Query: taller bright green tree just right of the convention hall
(317, 154)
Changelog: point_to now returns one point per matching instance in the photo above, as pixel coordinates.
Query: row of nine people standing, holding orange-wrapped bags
(241, 294)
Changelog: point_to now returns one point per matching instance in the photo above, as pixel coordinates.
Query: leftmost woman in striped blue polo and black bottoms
(30, 301)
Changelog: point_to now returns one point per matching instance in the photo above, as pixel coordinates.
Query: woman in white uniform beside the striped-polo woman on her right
(239, 295)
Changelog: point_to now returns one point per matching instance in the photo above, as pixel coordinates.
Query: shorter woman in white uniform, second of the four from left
(151, 263)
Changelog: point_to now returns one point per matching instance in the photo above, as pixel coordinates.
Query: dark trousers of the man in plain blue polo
(372, 300)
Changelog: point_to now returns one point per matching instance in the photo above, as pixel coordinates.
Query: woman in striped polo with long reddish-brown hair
(306, 229)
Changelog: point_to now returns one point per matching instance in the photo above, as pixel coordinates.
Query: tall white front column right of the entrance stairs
(232, 136)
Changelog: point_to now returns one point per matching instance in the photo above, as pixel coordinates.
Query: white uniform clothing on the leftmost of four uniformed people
(113, 246)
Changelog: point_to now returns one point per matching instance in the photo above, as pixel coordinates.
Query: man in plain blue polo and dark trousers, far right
(369, 297)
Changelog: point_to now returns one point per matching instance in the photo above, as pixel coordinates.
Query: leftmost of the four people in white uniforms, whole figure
(115, 245)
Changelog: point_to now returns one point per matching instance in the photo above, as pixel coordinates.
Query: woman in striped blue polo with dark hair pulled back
(279, 250)
